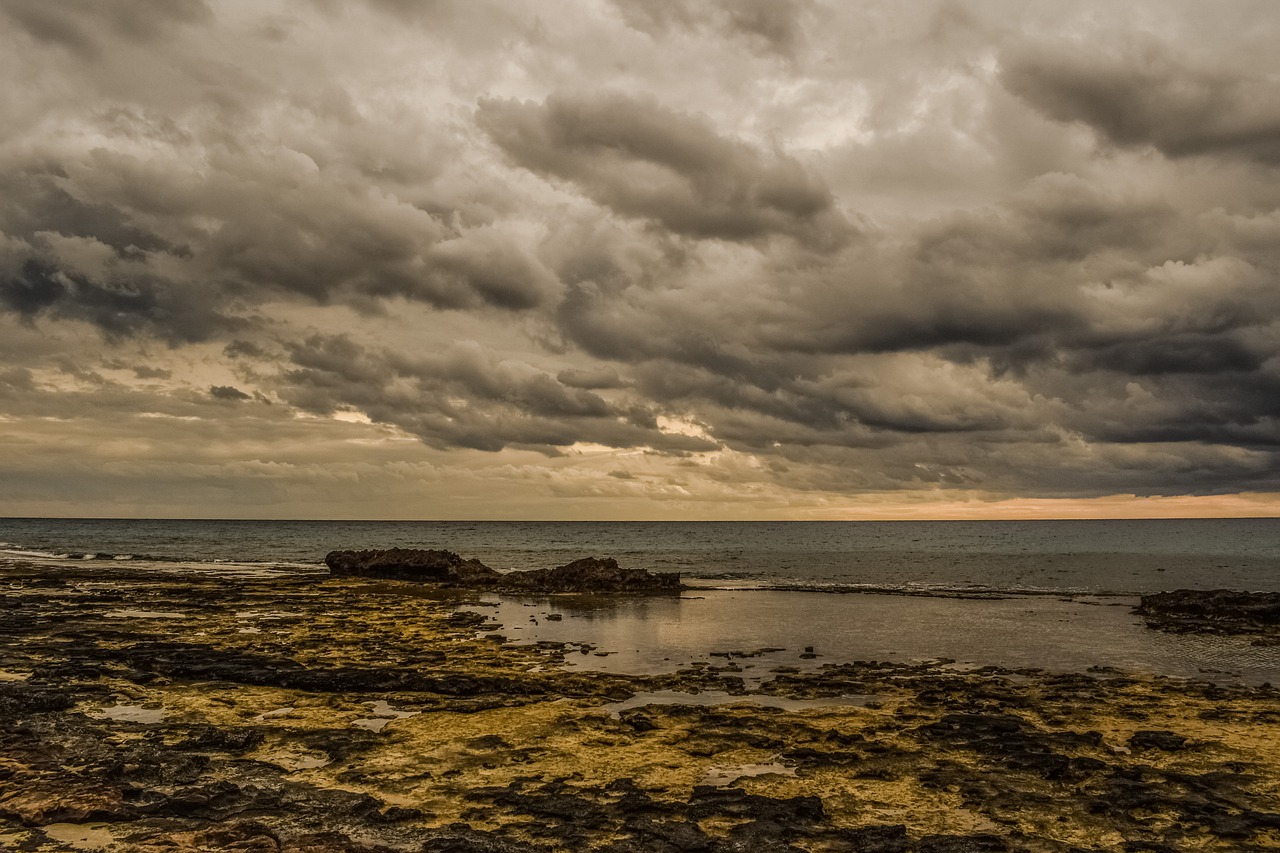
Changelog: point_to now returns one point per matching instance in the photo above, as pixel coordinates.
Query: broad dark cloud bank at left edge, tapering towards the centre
(86, 244)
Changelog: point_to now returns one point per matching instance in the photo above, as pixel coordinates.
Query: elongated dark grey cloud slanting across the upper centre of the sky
(644, 161)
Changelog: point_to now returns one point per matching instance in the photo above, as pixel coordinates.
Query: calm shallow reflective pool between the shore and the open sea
(758, 631)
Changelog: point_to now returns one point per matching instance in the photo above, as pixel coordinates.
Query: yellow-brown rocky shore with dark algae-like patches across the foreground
(145, 711)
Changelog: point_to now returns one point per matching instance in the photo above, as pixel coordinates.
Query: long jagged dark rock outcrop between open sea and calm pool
(587, 576)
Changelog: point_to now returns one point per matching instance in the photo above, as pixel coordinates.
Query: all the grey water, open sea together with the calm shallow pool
(1032, 595)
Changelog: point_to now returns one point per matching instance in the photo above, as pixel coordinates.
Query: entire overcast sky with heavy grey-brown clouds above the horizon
(639, 259)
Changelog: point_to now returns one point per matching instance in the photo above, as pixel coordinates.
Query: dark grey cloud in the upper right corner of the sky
(1145, 93)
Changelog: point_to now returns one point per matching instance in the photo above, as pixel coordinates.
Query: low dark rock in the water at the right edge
(1213, 612)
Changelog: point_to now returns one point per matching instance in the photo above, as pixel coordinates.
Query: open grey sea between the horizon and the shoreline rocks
(1103, 558)
